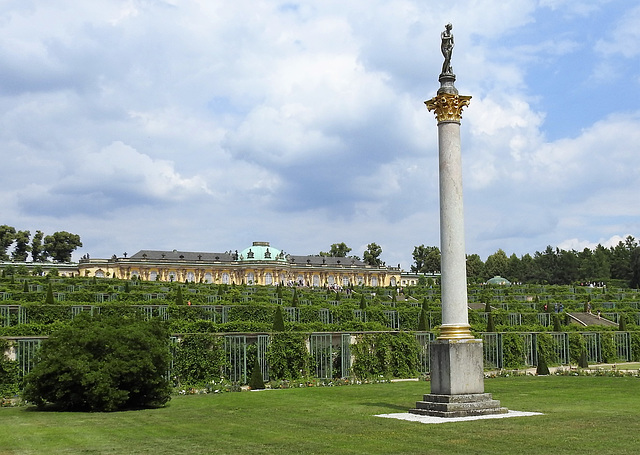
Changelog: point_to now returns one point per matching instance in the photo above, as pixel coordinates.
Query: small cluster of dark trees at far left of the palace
(58, 246)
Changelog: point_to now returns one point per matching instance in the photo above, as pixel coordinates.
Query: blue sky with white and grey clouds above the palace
(206, 125)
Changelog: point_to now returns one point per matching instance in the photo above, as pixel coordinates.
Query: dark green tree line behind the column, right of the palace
(551, 266)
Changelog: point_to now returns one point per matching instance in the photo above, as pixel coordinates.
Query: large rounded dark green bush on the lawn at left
(102, 363)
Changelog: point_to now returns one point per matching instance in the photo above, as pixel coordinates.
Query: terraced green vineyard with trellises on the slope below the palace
(351, 332)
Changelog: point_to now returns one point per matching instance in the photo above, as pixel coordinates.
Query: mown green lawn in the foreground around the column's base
(582, 415)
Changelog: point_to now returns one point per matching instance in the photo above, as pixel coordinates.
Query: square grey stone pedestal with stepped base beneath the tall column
(457, 382)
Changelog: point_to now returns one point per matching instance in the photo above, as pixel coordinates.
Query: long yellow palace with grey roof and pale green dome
(259, 264)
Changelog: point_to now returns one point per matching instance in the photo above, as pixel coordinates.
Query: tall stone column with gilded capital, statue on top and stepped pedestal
(456, 358)
